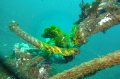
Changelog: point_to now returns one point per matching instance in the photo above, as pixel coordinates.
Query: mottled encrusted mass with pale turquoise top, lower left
(26, 64)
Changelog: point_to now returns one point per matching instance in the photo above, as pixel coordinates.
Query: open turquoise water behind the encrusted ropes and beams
(35, 15)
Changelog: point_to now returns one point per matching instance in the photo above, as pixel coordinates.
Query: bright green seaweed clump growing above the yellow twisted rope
(57, 36)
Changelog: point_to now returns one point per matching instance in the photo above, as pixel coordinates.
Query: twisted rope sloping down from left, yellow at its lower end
(43, 46)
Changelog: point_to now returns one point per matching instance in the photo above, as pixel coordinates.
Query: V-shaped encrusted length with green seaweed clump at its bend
(62, 43)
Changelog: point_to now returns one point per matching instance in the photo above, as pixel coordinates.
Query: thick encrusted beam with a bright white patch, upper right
(97, 22)
